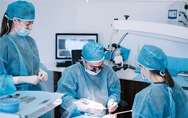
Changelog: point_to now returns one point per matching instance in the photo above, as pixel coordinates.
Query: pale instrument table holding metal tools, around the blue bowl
(34, 104)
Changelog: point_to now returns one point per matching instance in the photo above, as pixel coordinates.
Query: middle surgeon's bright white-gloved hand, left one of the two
(89, 106)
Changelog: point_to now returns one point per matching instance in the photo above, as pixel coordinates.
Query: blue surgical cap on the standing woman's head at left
(22, 10)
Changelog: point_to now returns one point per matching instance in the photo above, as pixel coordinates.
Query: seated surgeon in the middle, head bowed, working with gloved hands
(89, 87)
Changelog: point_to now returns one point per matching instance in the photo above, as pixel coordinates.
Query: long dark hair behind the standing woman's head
(4, 26)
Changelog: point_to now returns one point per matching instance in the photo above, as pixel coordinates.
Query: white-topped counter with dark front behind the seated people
(131, 83)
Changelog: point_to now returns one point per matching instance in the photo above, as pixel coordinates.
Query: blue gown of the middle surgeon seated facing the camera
(76, 83)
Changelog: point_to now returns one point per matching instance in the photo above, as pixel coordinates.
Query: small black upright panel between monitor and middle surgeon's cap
(76, 56)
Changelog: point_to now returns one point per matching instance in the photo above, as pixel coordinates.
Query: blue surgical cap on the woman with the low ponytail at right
(152, 58)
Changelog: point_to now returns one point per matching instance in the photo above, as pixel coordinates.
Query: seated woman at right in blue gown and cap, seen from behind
(163, 98)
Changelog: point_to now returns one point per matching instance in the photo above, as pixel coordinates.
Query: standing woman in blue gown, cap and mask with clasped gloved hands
(20, 67)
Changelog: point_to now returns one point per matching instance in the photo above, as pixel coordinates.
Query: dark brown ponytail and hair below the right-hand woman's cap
(167, 77)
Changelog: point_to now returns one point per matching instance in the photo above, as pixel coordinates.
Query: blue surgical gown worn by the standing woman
(18, 57)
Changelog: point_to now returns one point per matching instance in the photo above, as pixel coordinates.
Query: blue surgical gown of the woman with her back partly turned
(160, 101)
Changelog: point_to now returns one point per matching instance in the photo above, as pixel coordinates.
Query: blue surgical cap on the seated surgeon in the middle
(93, 52)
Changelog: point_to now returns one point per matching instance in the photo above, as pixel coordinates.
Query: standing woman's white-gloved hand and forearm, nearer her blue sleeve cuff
(34, 79)
